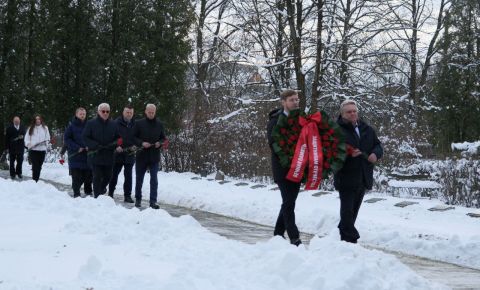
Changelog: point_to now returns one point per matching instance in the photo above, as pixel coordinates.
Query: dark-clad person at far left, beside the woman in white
(15, 145)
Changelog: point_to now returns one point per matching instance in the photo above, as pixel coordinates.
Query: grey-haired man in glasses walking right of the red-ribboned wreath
(356, 175)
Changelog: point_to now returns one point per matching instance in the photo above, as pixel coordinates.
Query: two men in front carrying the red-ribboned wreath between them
(351, 181)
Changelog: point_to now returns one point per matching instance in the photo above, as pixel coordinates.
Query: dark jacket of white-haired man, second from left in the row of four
(100, 136)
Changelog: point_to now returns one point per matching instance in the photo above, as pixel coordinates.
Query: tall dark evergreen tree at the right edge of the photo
(457, 79)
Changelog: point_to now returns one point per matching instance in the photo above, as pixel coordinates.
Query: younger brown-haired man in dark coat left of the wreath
(288, 189)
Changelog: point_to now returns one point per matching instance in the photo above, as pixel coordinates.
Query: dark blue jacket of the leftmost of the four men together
(74, 141)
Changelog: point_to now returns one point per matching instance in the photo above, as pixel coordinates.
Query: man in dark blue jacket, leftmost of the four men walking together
(77, 154)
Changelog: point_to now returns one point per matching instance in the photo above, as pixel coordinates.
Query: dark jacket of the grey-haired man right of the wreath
(358, 170)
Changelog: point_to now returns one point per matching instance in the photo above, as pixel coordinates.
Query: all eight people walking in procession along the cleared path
(100, 148)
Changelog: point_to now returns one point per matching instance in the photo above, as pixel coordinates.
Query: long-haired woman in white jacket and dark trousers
(36, 140)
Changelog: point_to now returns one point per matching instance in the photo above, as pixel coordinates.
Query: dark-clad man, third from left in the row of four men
(124, 154)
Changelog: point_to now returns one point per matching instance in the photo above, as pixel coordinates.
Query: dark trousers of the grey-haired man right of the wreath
(350, 202)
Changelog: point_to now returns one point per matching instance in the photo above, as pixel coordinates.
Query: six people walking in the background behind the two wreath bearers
(98, 150)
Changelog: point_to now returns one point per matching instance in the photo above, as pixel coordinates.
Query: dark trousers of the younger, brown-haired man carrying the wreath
(286, 216)
